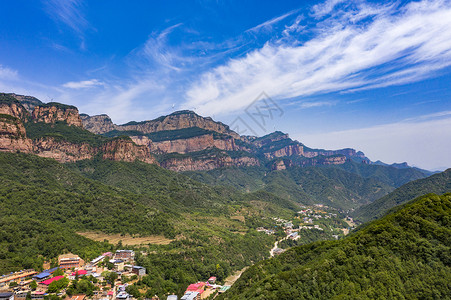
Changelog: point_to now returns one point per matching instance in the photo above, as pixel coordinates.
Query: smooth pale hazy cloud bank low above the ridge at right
(423, 141)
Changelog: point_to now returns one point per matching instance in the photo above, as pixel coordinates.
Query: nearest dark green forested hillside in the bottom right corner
(405, 255)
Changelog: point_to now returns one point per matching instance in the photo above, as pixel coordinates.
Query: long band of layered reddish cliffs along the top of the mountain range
(198, 148)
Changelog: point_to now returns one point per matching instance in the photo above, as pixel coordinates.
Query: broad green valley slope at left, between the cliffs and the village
(43, 203)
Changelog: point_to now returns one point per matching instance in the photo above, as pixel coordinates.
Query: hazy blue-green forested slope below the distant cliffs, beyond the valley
(327, 185)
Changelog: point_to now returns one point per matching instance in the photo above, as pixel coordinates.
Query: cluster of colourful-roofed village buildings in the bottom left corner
(29, 284)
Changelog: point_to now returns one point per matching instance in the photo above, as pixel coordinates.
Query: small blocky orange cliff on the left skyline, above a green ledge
(56, 112)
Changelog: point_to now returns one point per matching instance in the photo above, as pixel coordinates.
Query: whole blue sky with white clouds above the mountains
(370, 75)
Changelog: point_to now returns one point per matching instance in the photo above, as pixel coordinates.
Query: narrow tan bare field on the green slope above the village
(126, 239)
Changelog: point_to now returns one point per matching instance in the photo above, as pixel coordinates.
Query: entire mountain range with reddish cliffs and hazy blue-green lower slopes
(204, 149)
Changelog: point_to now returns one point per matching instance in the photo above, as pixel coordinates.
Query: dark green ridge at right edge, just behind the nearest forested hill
(438, 183)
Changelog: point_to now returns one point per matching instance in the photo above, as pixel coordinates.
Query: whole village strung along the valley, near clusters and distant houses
(110, 276)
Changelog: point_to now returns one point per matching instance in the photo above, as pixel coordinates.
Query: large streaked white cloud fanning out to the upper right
(365, 46)
